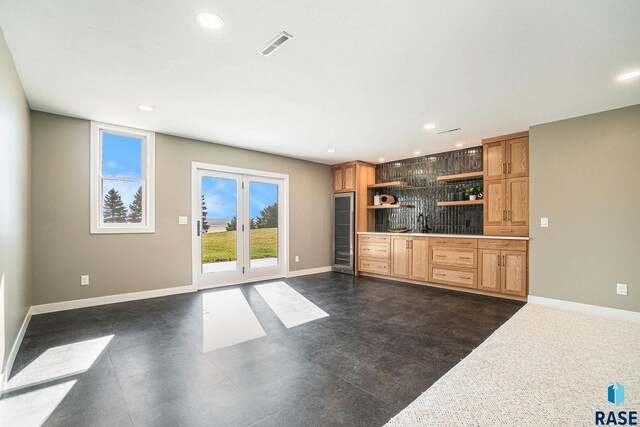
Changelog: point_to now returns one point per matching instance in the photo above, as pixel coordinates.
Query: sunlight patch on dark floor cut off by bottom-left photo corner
(33, 408)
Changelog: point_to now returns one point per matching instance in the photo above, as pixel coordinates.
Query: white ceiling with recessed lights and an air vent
(362, 76)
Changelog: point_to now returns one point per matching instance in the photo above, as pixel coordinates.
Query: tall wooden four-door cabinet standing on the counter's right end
(506, 185)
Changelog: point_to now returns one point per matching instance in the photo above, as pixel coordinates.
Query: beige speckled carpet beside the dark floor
(543, 367)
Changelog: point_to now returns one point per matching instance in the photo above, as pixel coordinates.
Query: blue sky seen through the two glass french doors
(221, 200)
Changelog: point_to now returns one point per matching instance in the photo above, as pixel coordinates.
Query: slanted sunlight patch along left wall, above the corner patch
(60, 362)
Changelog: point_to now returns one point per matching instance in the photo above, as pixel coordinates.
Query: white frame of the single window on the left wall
(147, 176)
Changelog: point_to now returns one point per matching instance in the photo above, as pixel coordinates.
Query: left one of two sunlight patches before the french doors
(227, 320)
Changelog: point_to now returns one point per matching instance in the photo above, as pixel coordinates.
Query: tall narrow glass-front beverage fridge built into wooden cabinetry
(343, 233)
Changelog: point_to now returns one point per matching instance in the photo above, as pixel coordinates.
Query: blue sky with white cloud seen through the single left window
(121, 158)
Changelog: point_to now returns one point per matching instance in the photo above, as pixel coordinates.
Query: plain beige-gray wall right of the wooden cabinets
(585, 177)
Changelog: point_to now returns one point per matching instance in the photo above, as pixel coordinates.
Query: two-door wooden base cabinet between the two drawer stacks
(409, 257)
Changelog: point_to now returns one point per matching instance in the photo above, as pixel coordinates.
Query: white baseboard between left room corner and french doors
(110, 299)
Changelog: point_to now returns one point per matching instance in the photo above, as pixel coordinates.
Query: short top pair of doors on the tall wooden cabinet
(506, 156)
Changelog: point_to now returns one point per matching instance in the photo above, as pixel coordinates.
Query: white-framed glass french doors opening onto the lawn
(239, 226)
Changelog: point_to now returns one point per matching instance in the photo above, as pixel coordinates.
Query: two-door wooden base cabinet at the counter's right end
(503, 271)
